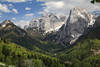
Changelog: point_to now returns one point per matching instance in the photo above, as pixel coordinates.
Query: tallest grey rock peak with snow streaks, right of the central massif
(78, 23)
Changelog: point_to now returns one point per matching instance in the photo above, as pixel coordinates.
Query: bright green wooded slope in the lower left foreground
(12, 54)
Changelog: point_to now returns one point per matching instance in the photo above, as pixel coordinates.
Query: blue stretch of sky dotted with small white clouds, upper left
(21, 10)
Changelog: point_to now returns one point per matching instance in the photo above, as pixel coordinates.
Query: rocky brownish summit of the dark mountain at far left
(8, 26)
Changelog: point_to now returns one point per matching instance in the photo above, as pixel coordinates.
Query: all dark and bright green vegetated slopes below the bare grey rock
(19, 49)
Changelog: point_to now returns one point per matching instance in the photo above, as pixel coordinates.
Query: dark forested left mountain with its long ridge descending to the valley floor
(12, 33)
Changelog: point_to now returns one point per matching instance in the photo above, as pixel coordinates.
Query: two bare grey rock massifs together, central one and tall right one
(67, 31)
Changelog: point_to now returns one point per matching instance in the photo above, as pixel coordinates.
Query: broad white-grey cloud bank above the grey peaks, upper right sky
(64, 6)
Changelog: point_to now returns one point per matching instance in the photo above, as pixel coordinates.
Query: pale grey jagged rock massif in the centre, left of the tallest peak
(47, 23)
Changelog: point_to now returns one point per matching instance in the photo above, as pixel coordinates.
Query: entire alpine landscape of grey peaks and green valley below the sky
(52, 41)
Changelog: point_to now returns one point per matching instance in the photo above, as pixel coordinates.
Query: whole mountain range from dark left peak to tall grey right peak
(66, 31)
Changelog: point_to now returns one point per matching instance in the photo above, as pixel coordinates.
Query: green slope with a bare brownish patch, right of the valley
(85, 53)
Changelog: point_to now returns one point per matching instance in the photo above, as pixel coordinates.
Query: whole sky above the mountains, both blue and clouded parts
(22, 11)
